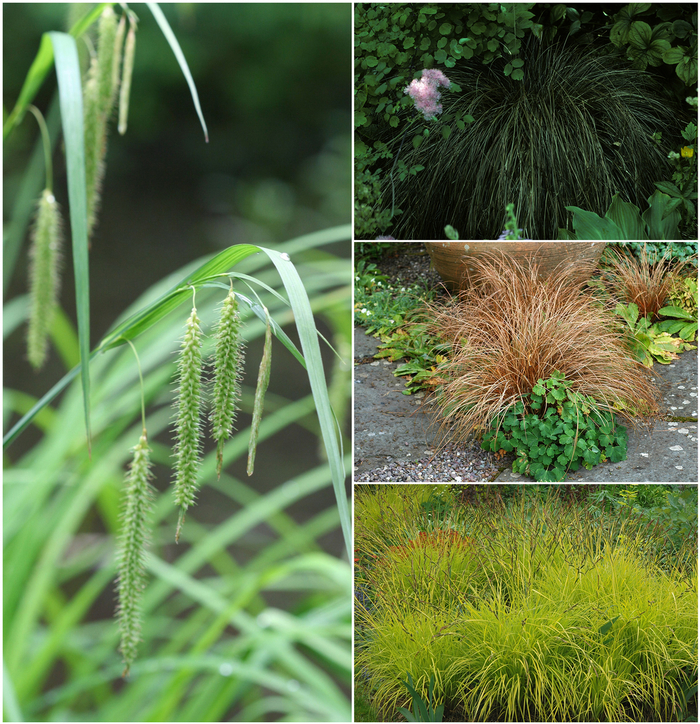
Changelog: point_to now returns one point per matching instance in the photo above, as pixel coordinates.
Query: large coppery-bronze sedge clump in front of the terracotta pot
(514, 328)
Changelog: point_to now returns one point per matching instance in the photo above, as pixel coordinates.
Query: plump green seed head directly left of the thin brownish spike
(228, 366)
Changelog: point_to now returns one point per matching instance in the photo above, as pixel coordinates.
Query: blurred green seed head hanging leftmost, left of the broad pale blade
(44, 277)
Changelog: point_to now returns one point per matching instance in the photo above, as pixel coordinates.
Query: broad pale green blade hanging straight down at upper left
(71, 99)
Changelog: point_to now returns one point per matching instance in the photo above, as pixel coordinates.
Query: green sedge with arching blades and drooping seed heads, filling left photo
(222, 591)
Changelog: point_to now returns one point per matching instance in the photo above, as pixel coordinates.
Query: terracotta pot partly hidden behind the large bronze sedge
(451, 258)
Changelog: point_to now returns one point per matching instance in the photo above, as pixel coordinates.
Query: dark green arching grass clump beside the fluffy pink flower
(576, 130)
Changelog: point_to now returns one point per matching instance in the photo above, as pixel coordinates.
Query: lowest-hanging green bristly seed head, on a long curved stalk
(132, 547)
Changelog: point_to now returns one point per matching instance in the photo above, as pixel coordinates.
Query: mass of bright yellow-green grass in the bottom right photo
(551, 616)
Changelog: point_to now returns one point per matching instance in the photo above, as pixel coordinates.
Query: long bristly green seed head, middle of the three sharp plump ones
(188, 429)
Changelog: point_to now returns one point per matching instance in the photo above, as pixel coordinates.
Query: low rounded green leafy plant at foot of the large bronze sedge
(564, 430)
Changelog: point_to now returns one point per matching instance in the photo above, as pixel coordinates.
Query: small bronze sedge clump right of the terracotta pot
(635, 281)
